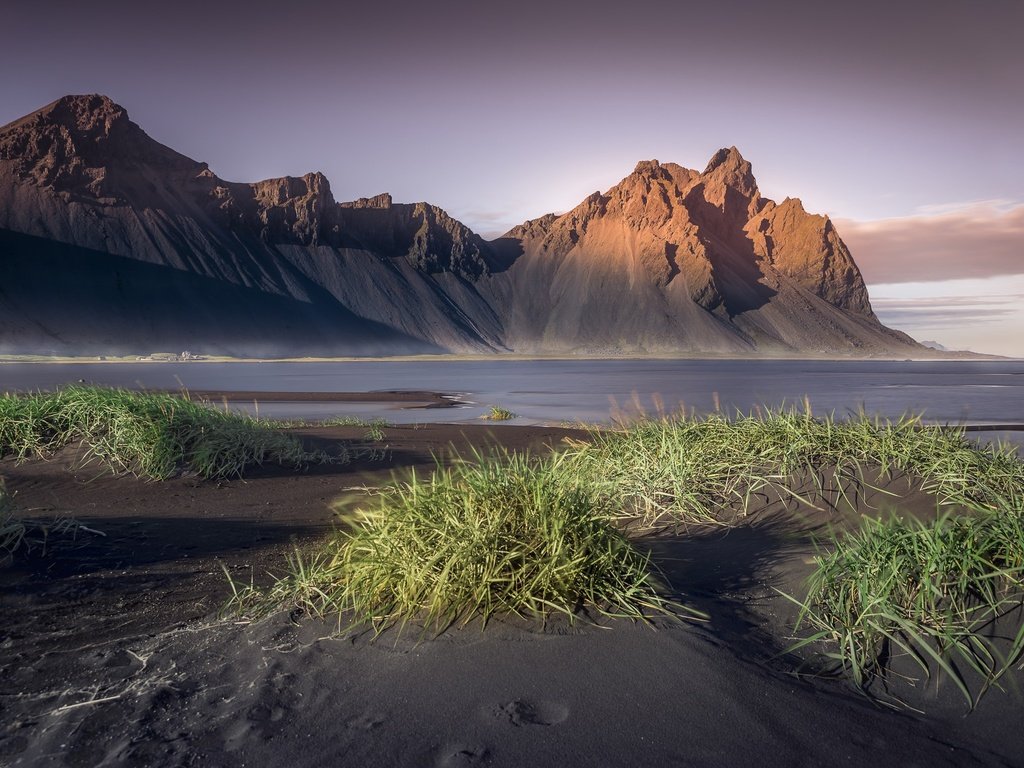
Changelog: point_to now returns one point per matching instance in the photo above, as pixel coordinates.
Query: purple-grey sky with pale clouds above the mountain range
(901, 119)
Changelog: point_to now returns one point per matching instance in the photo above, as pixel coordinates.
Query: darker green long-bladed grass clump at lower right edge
(929, 591)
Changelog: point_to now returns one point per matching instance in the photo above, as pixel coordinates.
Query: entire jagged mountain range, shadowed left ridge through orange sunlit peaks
(112, 242)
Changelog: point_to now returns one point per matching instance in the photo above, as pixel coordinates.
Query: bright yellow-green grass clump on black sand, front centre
(504, 535)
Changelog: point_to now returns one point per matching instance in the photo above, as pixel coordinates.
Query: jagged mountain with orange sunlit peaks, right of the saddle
(671, 260)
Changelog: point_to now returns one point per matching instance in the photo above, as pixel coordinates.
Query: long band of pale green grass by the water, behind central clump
(693, 468)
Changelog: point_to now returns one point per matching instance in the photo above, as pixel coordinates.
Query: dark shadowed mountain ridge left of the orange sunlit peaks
(80, 174)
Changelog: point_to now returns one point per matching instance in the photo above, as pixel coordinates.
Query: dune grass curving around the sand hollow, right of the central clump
(928, 590)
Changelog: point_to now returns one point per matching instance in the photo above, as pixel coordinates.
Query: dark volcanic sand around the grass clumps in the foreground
(110, 654)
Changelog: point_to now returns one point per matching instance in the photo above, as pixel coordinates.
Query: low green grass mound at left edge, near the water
(153, 436)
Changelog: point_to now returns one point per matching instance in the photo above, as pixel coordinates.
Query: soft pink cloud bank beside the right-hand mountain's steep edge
(976, 240)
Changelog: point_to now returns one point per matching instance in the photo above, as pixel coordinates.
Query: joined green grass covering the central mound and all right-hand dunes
(519, 535)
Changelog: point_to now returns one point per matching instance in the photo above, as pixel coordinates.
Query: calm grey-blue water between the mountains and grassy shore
(552, 392)
